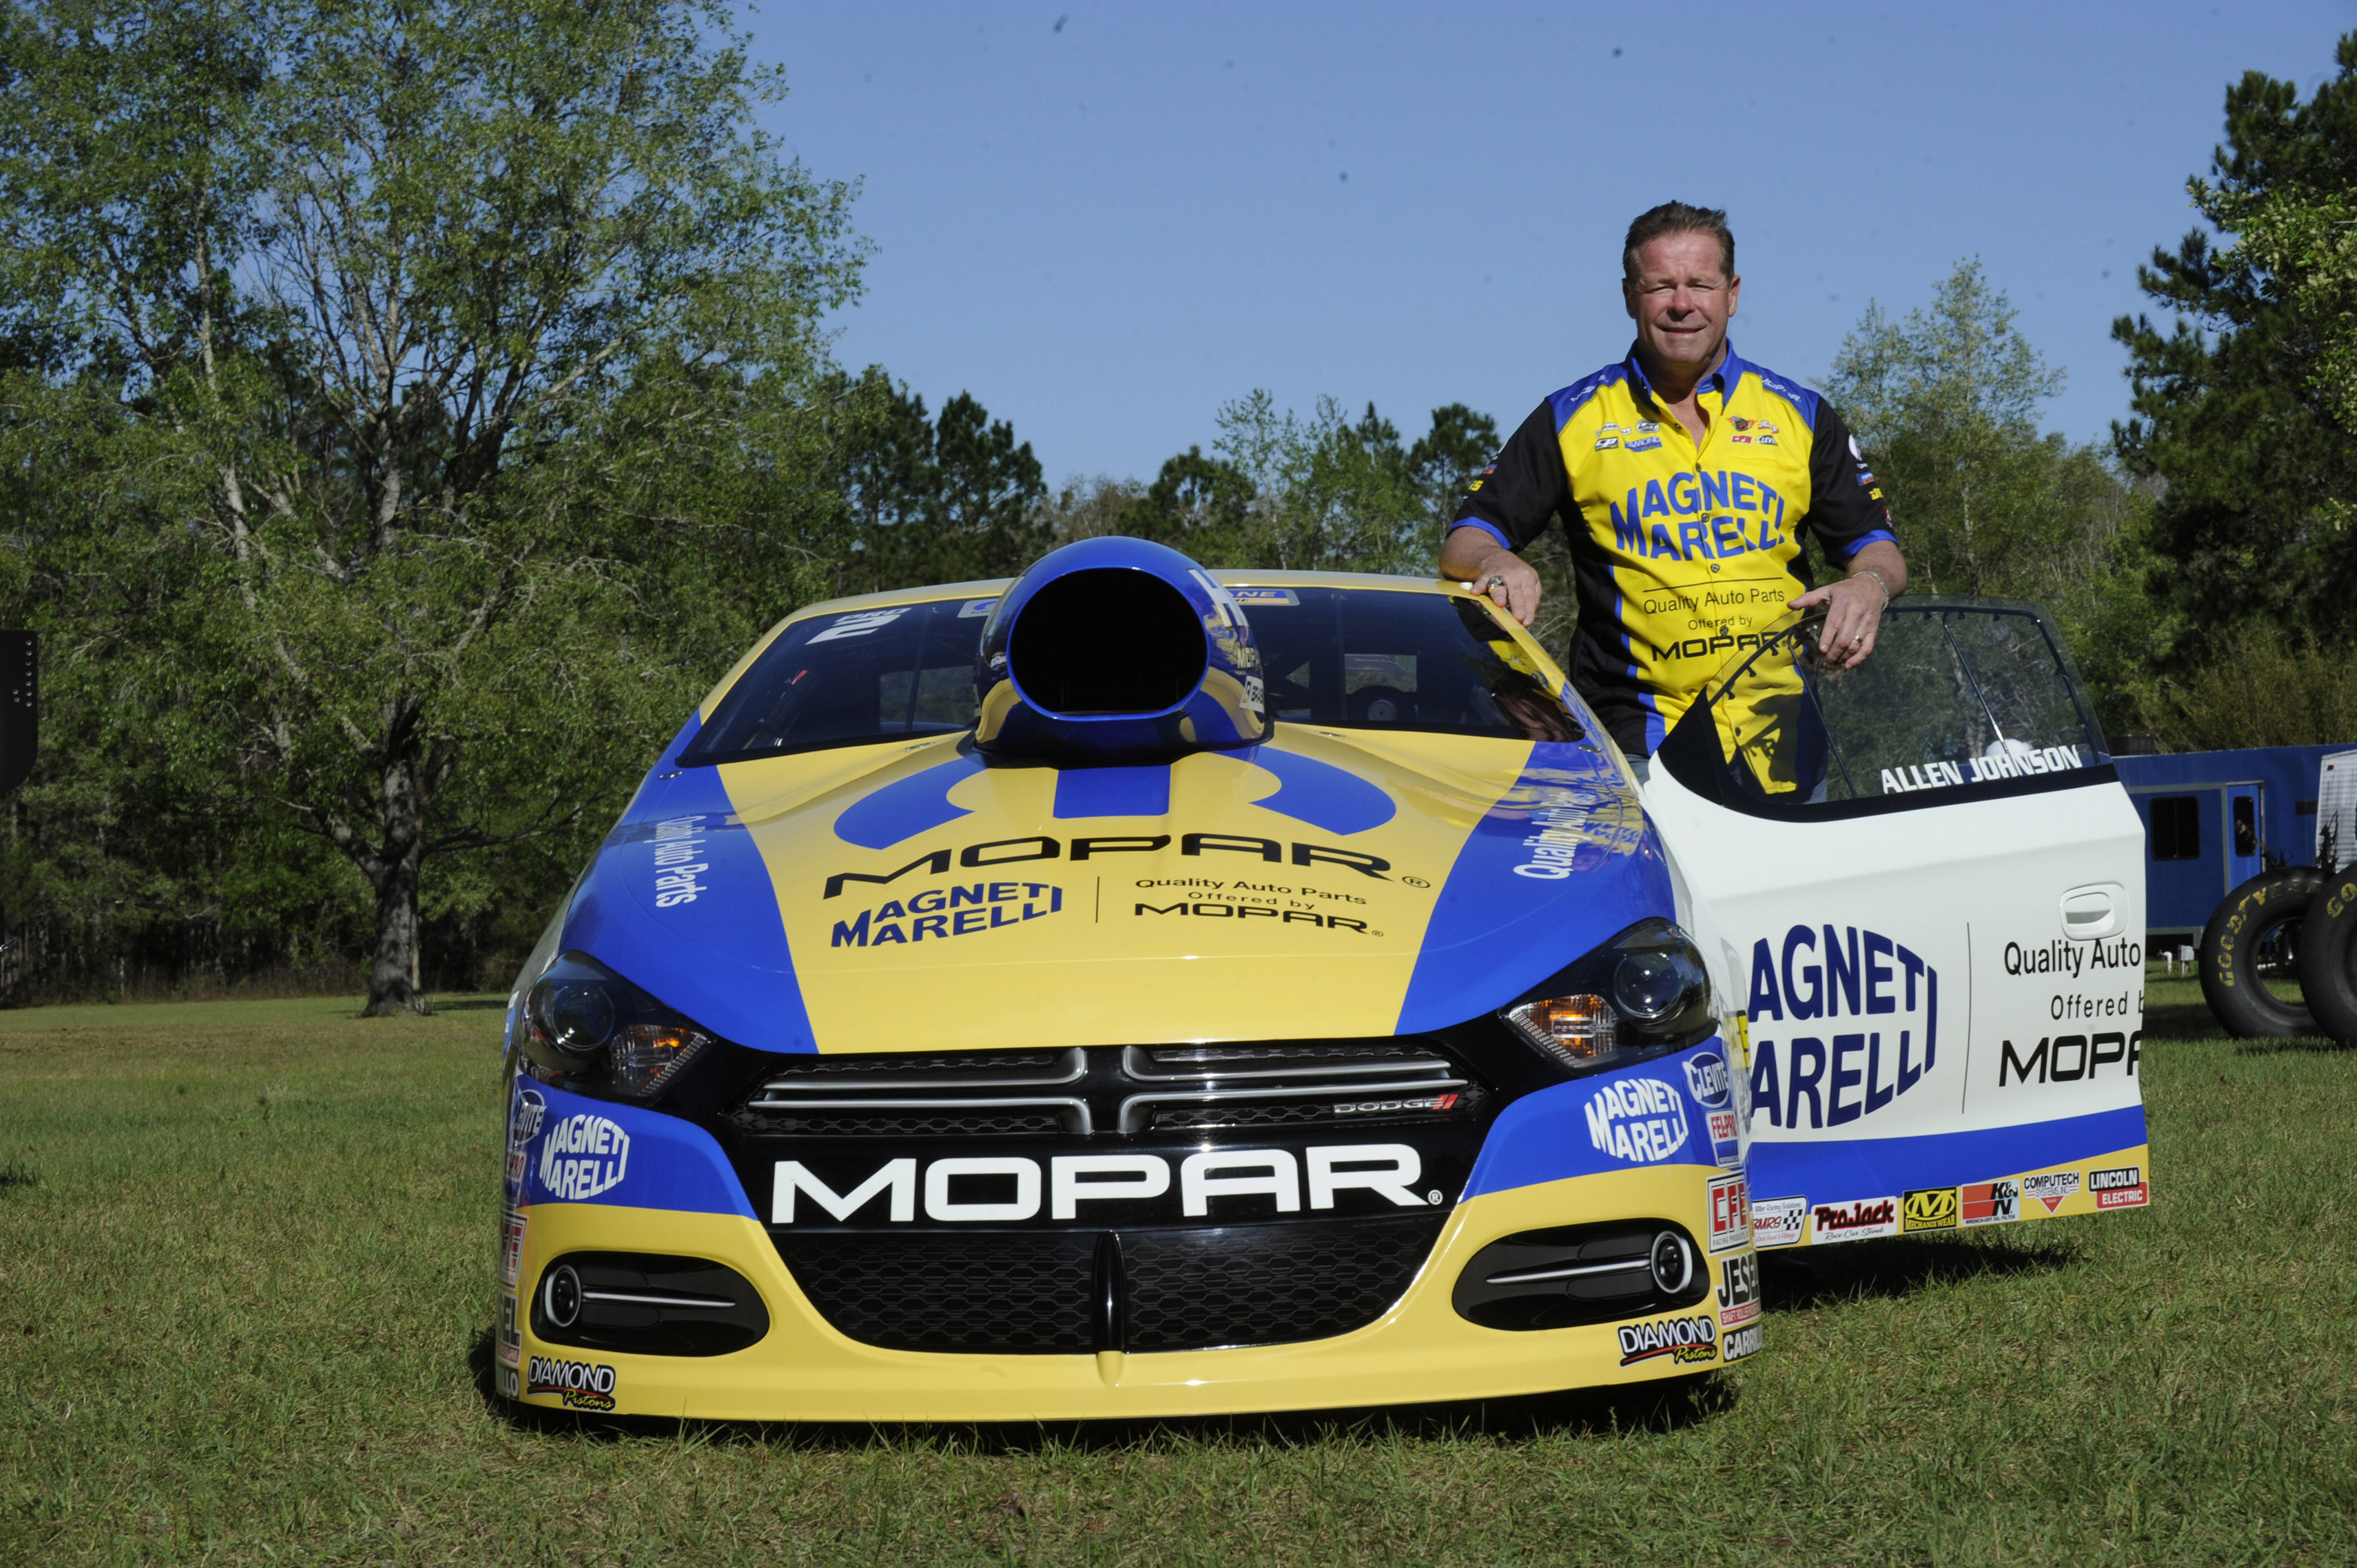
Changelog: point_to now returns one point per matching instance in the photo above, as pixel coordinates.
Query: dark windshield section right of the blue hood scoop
(1375, 659)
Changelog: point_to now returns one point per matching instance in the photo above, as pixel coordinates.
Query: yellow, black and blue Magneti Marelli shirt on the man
(1682, 555)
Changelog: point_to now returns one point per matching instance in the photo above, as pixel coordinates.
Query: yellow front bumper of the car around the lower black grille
(1422, 1350)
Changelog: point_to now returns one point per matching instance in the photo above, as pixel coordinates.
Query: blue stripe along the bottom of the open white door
(1887, 1168)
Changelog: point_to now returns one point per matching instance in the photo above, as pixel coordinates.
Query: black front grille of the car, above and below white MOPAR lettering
(1090, 1289)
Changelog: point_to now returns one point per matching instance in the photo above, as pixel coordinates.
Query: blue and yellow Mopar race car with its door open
(1147, 991)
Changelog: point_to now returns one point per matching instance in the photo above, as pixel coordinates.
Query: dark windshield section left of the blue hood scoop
(852, 680)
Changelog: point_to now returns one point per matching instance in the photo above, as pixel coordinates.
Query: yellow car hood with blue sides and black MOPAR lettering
(920, 897)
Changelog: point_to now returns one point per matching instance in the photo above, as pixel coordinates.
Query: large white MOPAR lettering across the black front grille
(1001, 1190)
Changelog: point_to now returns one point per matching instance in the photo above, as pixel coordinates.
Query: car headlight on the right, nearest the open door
(1637, 996)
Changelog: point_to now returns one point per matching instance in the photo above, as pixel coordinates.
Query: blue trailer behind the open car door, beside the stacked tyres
(2217, 819)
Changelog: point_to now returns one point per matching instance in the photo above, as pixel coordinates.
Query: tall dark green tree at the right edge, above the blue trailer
(2243, 407)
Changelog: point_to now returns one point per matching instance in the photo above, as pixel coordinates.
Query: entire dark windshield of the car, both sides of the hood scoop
(1335, 657)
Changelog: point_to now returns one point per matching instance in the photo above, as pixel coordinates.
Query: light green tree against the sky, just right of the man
(1946, 407)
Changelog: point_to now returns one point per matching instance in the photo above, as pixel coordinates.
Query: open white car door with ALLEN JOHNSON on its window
(1927, 888)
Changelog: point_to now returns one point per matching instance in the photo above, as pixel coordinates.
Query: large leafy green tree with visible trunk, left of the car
(421, 353)
